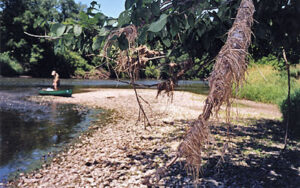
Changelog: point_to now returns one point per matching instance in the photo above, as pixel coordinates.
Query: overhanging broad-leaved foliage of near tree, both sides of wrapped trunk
(190, 29)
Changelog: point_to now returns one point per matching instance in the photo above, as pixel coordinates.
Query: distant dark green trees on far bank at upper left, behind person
(35, 56)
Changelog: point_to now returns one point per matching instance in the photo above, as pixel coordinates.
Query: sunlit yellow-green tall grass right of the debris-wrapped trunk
(265, 84)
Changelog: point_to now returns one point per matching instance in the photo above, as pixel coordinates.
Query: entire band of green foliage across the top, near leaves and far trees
(195, 29)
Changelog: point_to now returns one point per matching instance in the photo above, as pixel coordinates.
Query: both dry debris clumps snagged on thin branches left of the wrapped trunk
(133, 59)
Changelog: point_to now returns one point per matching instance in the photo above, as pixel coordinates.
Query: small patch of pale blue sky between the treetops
(108, 7)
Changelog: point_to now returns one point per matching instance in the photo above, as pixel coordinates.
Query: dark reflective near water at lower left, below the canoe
(28, 135)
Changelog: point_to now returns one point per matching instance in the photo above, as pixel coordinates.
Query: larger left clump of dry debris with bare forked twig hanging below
(130, 60)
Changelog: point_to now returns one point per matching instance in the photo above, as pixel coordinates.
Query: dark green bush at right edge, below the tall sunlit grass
(294, 117)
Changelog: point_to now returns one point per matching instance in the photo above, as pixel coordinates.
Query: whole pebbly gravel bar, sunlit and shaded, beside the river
(123, 152)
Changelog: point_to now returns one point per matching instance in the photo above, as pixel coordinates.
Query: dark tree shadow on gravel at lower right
(254, 159)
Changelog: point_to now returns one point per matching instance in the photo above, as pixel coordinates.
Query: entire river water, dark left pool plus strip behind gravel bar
(30, 131)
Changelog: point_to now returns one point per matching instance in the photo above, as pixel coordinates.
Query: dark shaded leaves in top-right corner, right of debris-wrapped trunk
(277, 27)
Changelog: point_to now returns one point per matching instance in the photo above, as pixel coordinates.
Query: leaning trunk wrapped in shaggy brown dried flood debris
(229, 69)
